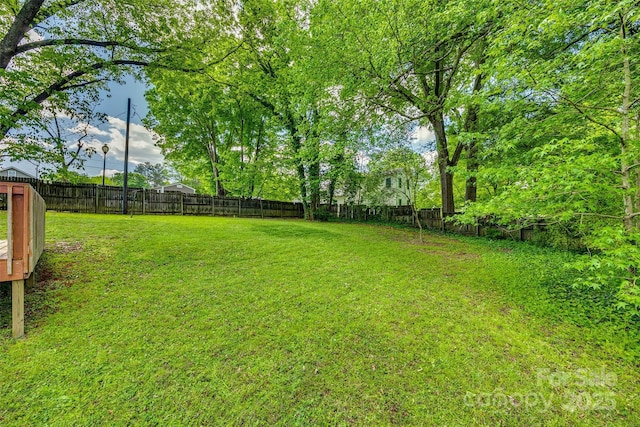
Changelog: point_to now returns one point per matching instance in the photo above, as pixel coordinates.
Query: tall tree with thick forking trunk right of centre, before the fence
(407, 58)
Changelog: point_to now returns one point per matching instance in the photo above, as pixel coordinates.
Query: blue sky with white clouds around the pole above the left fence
(141, 147)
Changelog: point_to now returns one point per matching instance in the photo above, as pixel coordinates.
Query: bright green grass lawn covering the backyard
(205, 321)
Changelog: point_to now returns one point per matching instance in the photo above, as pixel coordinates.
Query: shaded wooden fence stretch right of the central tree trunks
(431, 219)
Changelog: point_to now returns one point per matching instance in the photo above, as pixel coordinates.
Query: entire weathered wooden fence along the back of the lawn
(92, 198)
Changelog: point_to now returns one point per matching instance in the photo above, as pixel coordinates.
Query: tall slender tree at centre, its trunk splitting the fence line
(276, 40)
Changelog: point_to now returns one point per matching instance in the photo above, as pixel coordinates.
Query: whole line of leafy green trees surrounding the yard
(533, 108)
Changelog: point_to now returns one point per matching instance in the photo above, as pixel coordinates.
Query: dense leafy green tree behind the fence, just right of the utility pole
(225, 134)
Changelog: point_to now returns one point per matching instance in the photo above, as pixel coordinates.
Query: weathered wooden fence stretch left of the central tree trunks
(92, 198)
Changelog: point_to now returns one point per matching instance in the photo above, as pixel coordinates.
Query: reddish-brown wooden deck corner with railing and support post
(24, 244)
